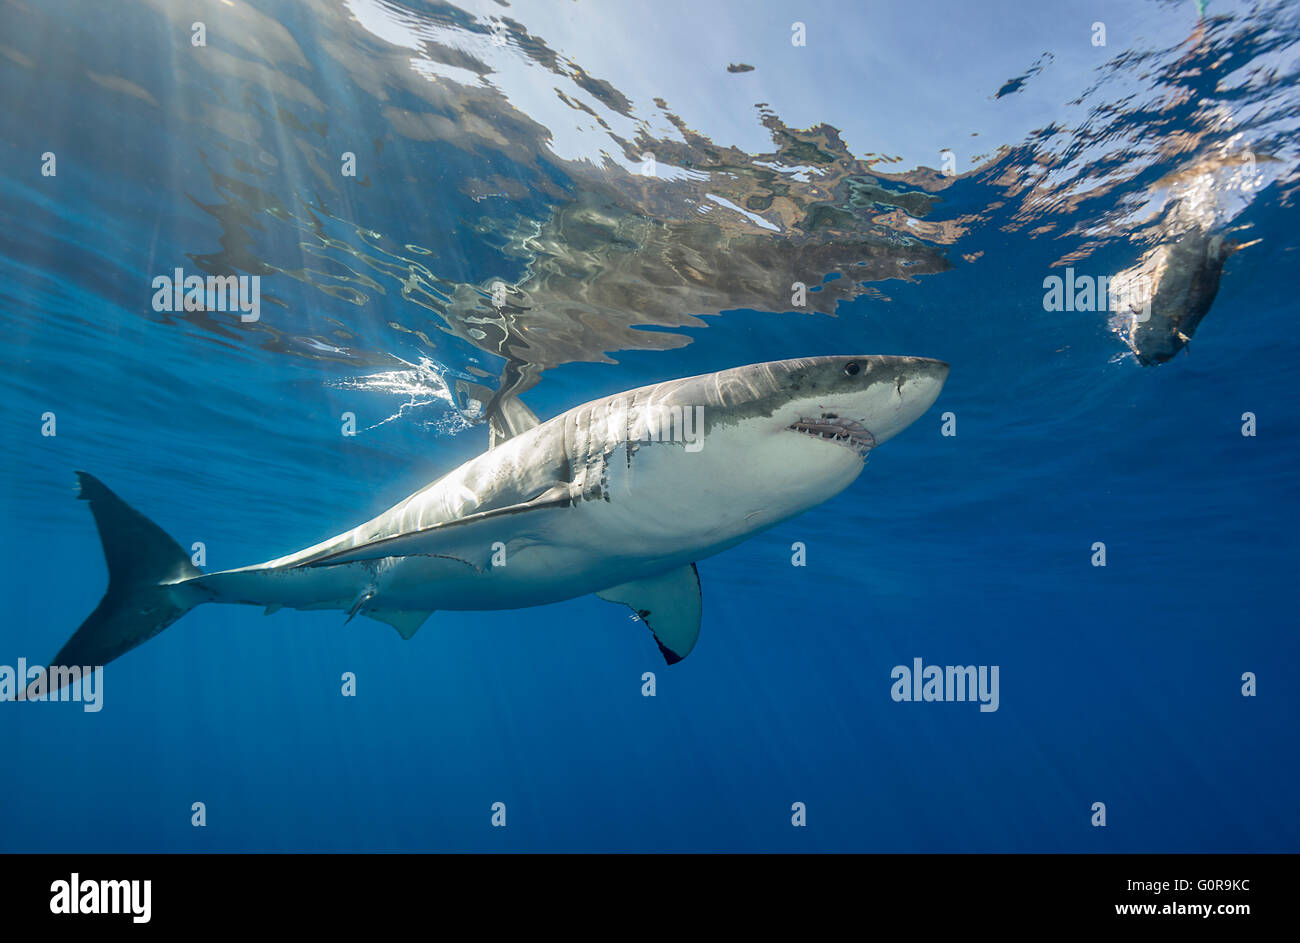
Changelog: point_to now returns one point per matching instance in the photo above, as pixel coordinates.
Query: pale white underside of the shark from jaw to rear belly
(662, 508)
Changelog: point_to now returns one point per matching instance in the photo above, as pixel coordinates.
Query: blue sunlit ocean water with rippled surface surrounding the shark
(1120, 685)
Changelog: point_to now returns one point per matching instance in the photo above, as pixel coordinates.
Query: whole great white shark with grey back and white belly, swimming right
(617, 498)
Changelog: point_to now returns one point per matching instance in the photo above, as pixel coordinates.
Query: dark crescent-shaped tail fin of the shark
(144, 561)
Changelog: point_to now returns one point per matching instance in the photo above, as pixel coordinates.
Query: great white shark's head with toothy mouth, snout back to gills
(760, 444)
